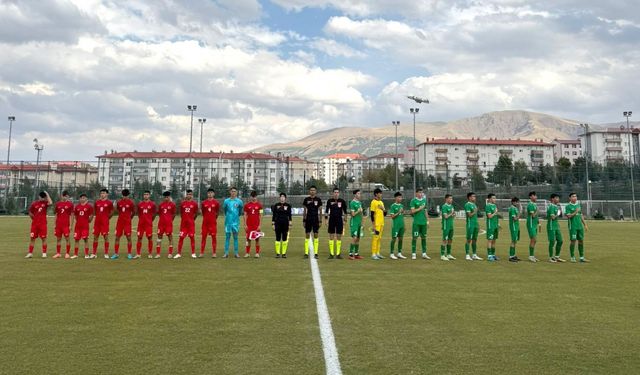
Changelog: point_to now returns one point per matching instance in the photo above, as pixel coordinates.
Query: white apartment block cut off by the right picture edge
(611, 145)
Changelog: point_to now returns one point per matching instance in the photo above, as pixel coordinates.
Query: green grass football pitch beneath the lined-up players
(258, 316)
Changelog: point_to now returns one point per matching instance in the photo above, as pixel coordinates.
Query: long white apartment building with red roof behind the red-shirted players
(260, 171)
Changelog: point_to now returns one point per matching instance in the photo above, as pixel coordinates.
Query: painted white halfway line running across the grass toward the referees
(331, 360)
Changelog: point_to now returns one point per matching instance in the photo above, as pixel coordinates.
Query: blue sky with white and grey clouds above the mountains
(85, 76)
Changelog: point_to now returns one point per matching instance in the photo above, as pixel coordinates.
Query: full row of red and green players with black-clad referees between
(335, 215)
